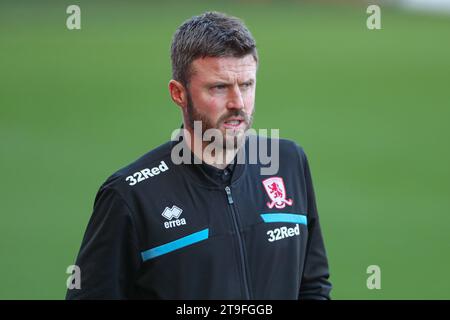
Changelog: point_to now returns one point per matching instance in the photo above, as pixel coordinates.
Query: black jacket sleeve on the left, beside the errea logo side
(109, 257)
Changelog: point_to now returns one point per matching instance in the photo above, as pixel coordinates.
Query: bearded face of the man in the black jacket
(221, 94)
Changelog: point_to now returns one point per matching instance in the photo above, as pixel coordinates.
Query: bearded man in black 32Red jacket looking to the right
(211, 226)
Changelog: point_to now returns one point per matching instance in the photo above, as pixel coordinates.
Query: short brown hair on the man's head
(212, 34)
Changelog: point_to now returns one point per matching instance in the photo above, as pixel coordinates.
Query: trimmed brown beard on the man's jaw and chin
(230, 138)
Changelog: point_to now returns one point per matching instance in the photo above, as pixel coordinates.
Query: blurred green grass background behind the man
(371, 109)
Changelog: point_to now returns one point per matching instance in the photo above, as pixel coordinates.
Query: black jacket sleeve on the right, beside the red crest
(315, 284)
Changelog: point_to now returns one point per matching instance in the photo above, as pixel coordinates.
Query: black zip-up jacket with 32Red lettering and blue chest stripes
(166, 231)
